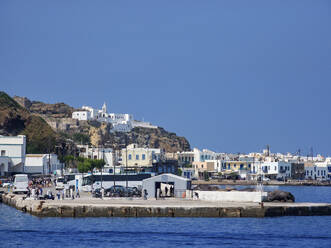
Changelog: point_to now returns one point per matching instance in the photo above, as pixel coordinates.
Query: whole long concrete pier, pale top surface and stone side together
(90, 207)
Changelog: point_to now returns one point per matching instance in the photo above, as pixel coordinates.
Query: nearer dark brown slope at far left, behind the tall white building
(15, 119)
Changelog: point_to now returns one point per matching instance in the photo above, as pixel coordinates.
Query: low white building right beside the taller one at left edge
(42, 164)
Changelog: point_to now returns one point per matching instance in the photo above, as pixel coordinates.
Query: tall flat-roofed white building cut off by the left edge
(12, 153)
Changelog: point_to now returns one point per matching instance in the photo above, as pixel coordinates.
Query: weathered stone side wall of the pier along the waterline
(41, 209)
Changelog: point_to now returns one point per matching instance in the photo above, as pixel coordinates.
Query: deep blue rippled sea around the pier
(18, 229)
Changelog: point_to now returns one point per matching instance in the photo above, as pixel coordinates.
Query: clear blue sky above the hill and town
(230, 76)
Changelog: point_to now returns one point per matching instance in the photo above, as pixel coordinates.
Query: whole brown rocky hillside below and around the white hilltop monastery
(22, 116)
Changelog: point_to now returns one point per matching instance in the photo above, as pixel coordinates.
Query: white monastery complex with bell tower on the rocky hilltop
(120, 122)
